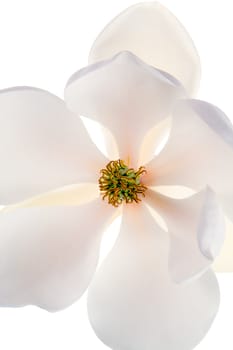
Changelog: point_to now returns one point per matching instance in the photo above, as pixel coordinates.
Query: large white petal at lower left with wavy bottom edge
(49, 255)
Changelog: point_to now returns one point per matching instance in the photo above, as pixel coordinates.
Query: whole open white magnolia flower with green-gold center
(156, 289)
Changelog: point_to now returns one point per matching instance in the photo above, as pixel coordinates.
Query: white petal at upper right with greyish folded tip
(199, 151)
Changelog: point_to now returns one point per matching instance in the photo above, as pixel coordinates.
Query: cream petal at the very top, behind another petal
(154, 34)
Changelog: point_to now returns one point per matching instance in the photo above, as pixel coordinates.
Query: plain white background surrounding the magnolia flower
(41, 44)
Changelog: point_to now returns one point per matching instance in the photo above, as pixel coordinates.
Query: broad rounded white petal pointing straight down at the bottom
(132, 302)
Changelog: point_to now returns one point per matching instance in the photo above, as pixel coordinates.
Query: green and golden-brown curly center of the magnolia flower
(120, 184)
